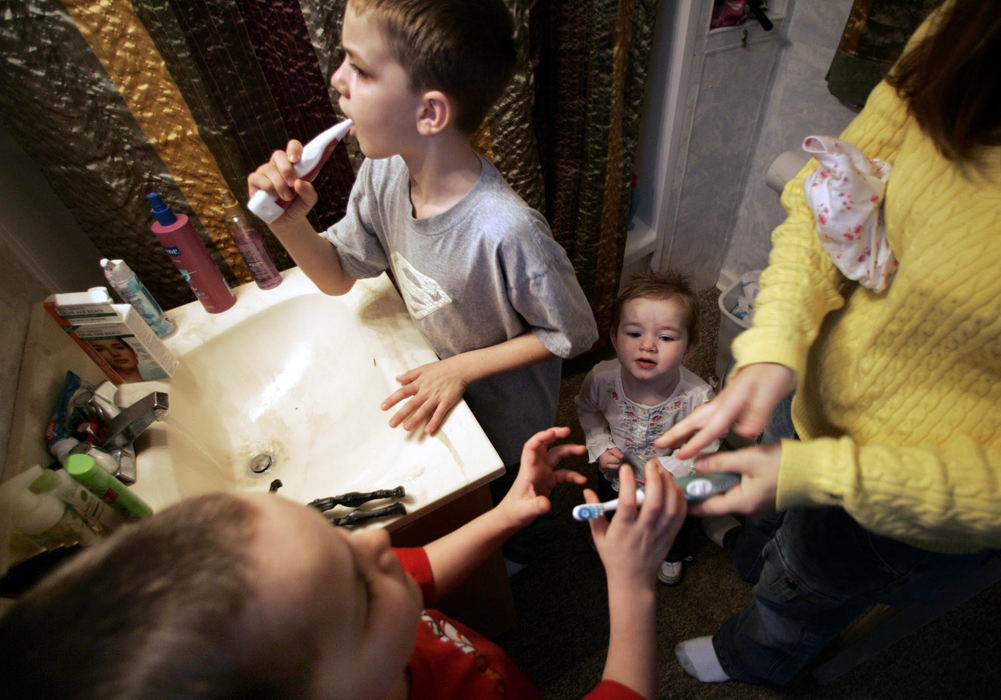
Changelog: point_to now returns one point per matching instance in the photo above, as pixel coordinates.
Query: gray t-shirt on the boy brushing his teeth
(485, 272)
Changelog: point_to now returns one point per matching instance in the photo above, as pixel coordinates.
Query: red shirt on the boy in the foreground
(450, 660)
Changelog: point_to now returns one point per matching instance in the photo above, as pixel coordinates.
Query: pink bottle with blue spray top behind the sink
(182, 242)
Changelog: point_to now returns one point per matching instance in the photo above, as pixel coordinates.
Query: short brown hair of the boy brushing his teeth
(466, 49)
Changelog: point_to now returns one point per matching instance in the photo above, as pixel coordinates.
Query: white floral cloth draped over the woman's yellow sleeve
(846, 194)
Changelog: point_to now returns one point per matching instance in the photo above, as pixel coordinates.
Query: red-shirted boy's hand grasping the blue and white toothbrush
(637, 540)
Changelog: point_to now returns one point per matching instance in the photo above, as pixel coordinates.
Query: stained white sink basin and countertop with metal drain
(299, 376)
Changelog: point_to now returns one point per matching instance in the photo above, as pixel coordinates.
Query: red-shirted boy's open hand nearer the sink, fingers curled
(529, 495)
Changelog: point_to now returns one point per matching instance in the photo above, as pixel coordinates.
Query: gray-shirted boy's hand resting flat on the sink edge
(434, 389)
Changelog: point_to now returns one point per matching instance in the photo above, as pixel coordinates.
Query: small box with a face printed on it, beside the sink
(115, 336)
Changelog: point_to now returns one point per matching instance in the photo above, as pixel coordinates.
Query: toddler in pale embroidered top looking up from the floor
(627, 403)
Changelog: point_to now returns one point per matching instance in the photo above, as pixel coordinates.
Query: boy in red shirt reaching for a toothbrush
(254, 595)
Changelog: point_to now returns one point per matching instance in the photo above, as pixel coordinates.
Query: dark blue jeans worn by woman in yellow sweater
(821, 571)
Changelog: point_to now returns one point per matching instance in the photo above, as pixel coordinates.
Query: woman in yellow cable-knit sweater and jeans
(894, 486)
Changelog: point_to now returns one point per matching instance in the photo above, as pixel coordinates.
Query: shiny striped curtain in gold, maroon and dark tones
(118, 99)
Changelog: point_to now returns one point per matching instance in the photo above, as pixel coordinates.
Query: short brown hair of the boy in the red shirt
(162, 608)
